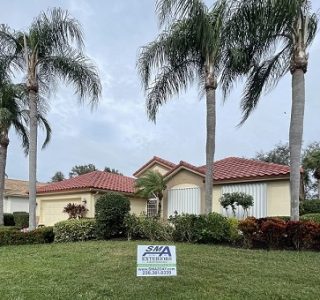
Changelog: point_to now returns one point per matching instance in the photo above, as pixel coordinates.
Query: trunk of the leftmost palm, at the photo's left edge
(4, 142)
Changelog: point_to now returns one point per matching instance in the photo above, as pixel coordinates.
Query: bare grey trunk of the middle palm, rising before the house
(211, 86)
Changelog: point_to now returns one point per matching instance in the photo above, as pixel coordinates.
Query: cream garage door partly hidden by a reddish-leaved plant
(52, 211)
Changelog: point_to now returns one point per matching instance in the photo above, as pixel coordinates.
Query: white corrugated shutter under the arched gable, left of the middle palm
(186, 200)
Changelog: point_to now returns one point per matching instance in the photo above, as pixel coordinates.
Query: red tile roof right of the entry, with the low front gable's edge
(235, 168)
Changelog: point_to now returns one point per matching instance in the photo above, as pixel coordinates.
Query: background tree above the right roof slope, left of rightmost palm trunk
(280, 154)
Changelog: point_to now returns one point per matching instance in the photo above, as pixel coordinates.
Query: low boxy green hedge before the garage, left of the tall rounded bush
(75, 230)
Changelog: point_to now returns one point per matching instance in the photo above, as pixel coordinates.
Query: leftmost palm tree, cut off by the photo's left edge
(13, 114)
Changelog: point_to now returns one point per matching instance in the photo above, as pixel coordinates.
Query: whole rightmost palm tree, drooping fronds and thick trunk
(273, 39)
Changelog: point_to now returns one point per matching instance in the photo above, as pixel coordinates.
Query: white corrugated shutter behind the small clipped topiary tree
(259, 193)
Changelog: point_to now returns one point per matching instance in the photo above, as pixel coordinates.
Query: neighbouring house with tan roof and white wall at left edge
(16, 196)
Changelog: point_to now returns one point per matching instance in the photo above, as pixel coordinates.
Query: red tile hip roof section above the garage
(93, 180)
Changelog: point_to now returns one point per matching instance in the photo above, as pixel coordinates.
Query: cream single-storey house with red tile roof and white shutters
(185, 193)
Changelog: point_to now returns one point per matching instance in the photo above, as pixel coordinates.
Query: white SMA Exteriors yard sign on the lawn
(156, 260)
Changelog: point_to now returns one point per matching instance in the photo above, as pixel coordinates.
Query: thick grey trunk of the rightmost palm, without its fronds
(295, 138)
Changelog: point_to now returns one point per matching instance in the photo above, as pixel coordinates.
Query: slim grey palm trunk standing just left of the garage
(33, 157)
